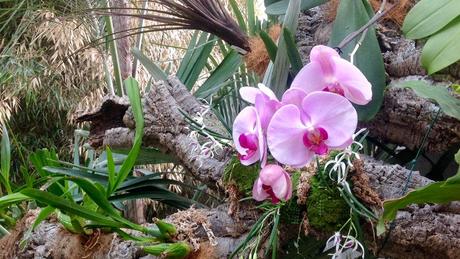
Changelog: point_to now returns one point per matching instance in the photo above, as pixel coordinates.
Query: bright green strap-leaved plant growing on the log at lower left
(85, 198)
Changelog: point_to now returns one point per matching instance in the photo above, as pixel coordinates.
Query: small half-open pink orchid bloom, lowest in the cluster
(273, 183)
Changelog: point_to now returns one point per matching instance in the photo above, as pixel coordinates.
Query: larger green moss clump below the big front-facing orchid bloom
(326, 209)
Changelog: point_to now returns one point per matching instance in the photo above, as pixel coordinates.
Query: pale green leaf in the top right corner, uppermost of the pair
(428, 16)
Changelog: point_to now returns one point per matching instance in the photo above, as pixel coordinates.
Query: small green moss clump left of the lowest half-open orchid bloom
(243, 177)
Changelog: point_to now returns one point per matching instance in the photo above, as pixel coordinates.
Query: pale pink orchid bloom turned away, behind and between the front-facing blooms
(264, 100)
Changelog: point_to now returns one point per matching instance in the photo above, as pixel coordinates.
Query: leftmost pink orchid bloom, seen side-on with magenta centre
(248, 137)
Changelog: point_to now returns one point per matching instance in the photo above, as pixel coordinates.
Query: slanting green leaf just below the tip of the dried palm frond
(224, 71)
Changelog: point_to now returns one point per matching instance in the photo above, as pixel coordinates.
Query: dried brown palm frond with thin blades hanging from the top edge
(204, 15)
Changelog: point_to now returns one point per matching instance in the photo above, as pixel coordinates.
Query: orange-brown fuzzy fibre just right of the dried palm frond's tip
(258, 59)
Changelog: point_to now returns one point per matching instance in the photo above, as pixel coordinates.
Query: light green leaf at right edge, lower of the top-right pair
(441, 49)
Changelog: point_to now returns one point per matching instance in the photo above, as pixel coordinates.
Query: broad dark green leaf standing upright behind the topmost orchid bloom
(352, 15)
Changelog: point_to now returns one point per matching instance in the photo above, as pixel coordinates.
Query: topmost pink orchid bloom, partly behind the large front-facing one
(328, 72)
